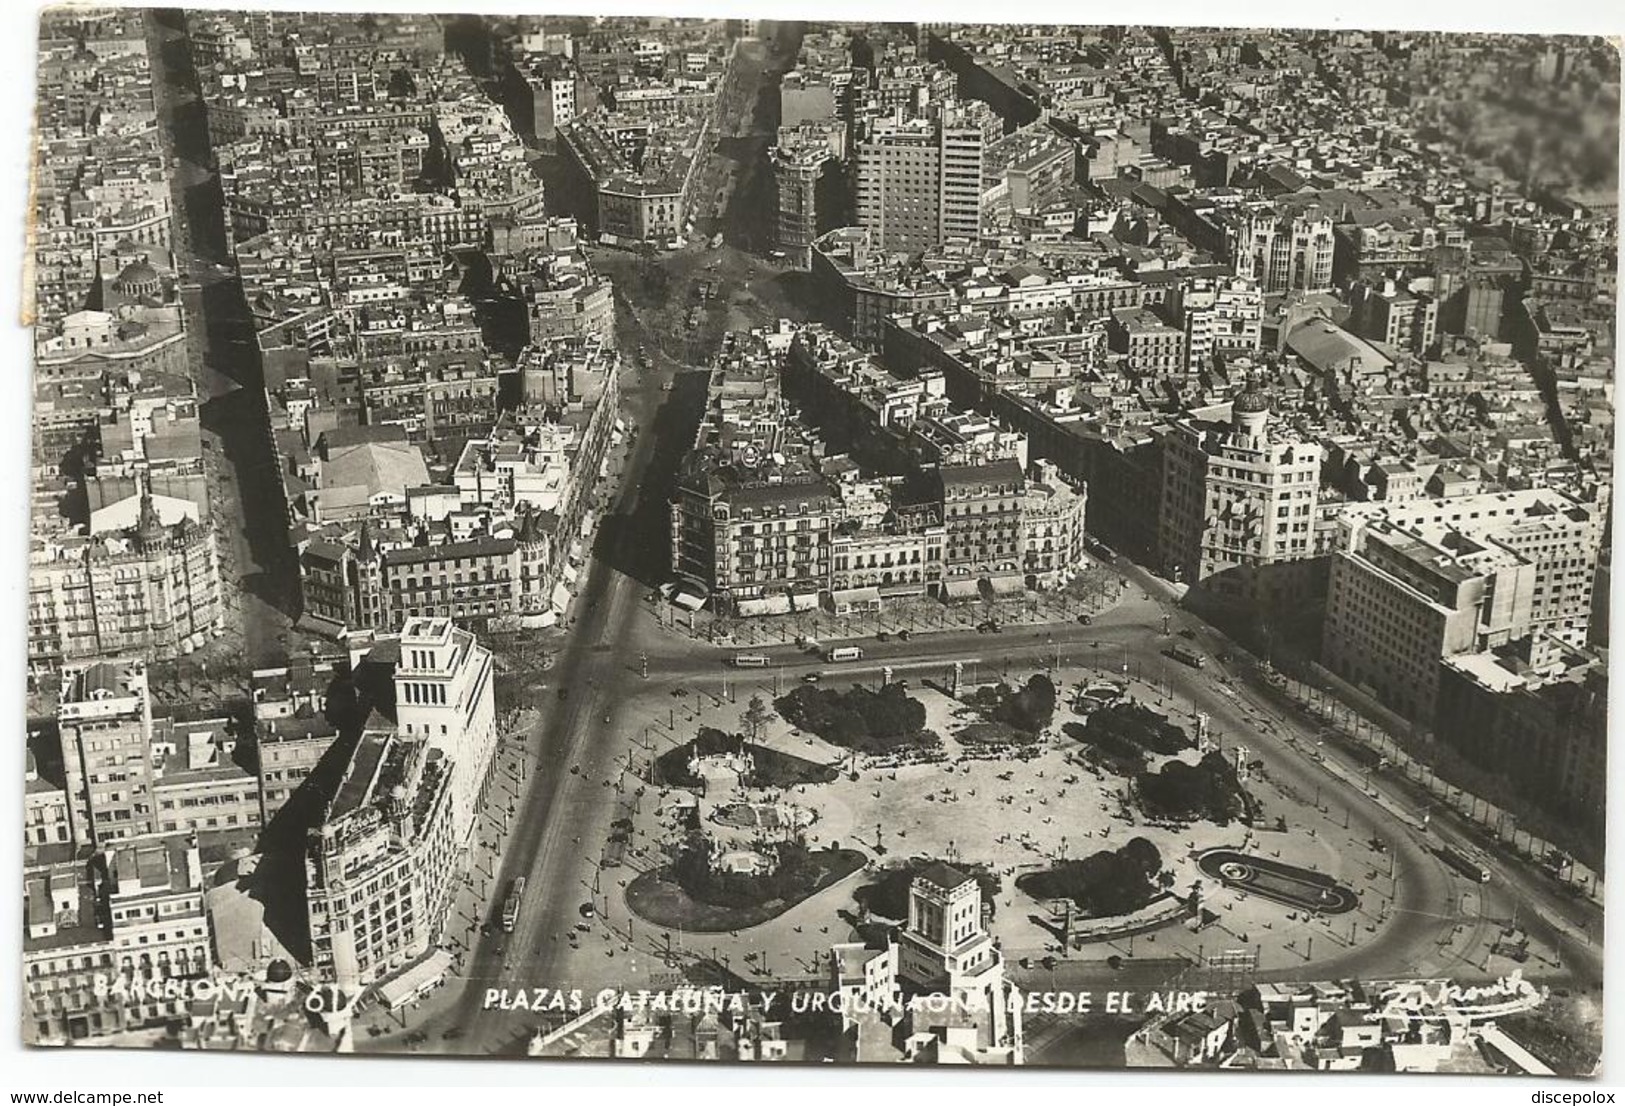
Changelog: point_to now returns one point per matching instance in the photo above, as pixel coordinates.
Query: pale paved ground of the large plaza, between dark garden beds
(966, 806)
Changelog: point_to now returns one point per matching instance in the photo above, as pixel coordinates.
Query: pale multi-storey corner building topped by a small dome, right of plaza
(1236, 496)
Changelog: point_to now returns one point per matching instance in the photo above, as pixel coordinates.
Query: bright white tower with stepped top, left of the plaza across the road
(444, 694)
